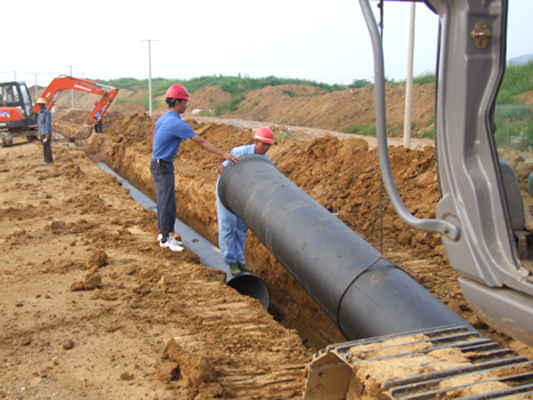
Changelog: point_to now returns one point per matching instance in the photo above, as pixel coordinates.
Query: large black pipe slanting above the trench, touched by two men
(363, 293)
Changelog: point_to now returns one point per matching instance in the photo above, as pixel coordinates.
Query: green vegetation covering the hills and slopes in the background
(514, 122)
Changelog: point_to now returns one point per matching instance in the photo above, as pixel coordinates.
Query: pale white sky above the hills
(284, 38)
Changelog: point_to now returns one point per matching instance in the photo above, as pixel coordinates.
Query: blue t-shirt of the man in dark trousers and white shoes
(169, 131)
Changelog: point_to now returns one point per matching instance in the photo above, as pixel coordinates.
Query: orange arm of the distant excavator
(61, 83)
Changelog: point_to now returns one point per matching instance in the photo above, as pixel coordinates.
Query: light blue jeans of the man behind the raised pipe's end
(232, 234)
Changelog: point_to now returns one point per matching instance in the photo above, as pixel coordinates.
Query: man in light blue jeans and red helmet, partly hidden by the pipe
(232, 231)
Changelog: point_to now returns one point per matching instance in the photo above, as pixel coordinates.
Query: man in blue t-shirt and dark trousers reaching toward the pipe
(170, 130)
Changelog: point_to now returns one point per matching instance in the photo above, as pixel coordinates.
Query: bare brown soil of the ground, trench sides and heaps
(92, 307)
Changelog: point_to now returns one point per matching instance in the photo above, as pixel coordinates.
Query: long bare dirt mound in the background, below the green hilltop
(312, 107)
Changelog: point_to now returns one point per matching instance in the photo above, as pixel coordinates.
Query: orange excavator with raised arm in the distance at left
(18, 118)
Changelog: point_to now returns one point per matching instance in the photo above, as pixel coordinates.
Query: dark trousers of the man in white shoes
(163, 177)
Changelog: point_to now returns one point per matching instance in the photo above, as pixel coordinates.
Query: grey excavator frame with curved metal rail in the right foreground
(480, 215)
